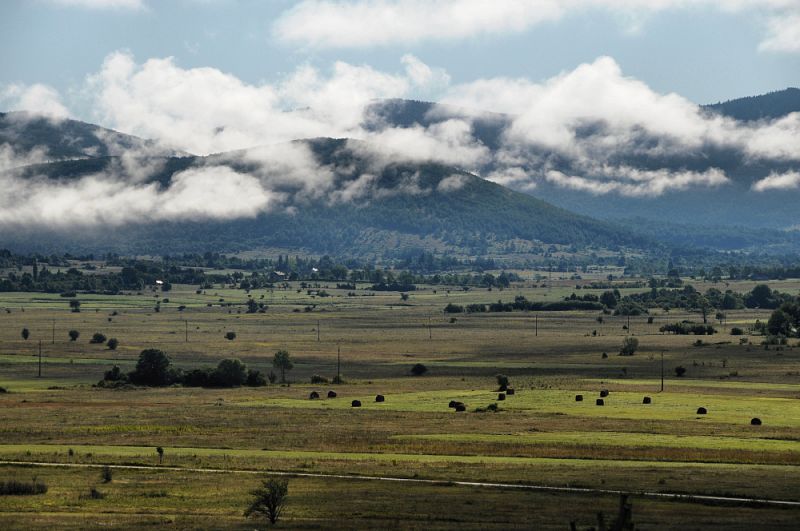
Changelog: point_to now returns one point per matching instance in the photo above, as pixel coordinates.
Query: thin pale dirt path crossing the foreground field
(583, 490)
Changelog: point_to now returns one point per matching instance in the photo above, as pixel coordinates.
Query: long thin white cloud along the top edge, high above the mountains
(363, 23)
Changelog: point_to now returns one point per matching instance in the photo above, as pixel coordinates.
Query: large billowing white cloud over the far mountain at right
(573, 129)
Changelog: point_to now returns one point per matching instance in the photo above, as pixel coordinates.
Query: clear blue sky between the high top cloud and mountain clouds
(703, 53)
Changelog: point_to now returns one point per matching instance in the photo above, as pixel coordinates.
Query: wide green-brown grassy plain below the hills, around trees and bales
(540, 435)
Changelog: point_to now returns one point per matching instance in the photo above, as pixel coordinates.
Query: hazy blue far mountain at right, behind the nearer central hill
(731, 204)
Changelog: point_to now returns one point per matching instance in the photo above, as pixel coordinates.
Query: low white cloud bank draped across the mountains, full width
(592, 129)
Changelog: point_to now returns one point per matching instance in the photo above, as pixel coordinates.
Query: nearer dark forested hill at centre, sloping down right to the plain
(477, 217)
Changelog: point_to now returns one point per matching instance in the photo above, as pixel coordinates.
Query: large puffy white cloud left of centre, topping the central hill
(204, 110)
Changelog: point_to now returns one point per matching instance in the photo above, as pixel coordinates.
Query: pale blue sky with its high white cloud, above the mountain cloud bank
(706, 51)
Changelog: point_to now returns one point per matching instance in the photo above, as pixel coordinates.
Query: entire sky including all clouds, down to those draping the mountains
(589, 82)
